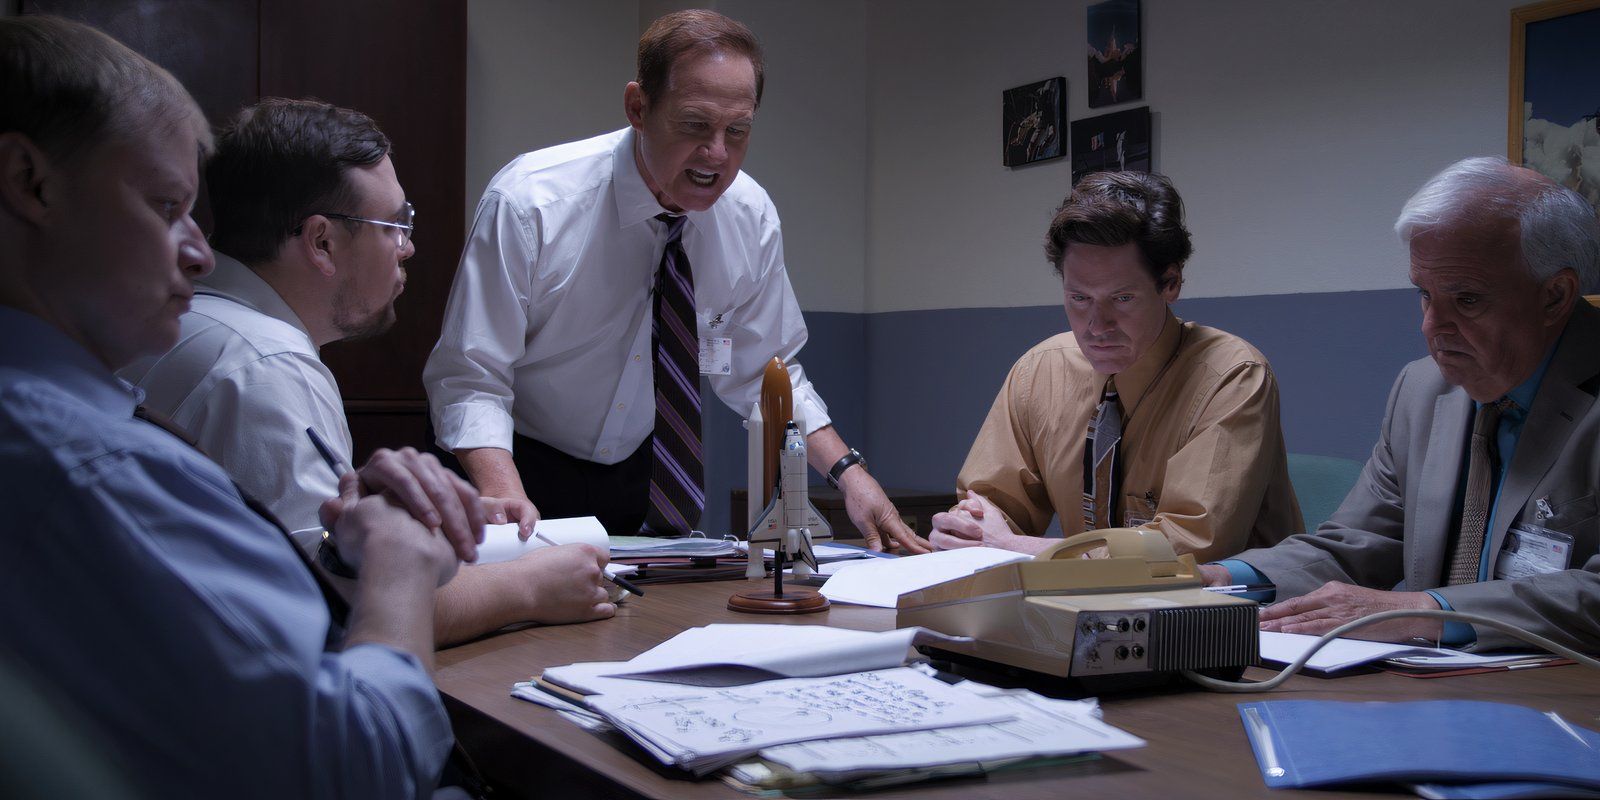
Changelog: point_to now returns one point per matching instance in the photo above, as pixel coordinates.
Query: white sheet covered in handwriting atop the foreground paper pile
(705, 729)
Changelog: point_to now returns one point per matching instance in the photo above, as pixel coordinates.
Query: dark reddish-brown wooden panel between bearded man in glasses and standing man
(404, 63)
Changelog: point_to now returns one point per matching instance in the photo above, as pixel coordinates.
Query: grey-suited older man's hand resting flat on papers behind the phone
(1335, 604)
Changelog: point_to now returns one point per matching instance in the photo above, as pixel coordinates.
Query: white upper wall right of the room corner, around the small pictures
(1295, 130)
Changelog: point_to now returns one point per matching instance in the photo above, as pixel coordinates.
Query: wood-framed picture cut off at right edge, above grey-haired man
(1554, 122)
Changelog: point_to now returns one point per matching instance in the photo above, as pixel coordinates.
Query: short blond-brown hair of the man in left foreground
(70, 89)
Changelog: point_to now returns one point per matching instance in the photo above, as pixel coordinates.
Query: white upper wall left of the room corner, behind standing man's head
(542, 73)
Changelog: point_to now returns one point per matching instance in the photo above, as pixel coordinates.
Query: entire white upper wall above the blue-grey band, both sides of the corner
(1295, 130)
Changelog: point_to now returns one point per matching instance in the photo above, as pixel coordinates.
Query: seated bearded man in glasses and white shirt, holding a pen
(316, 230)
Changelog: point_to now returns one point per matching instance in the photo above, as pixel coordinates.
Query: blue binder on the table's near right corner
(1322, 743)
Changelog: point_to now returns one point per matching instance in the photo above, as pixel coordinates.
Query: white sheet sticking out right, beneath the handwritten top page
(1042, 727)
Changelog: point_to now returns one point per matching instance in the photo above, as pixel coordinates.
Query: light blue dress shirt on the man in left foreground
(185, 626)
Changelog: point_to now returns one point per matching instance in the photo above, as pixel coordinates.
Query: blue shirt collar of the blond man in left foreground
(34, 346)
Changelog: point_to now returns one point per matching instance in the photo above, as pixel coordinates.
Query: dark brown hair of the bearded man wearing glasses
(279, 162)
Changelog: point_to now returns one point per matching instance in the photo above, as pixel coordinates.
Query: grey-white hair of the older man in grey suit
(1559, 230)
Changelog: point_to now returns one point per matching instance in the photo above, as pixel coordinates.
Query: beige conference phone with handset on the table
(1137, 615)
